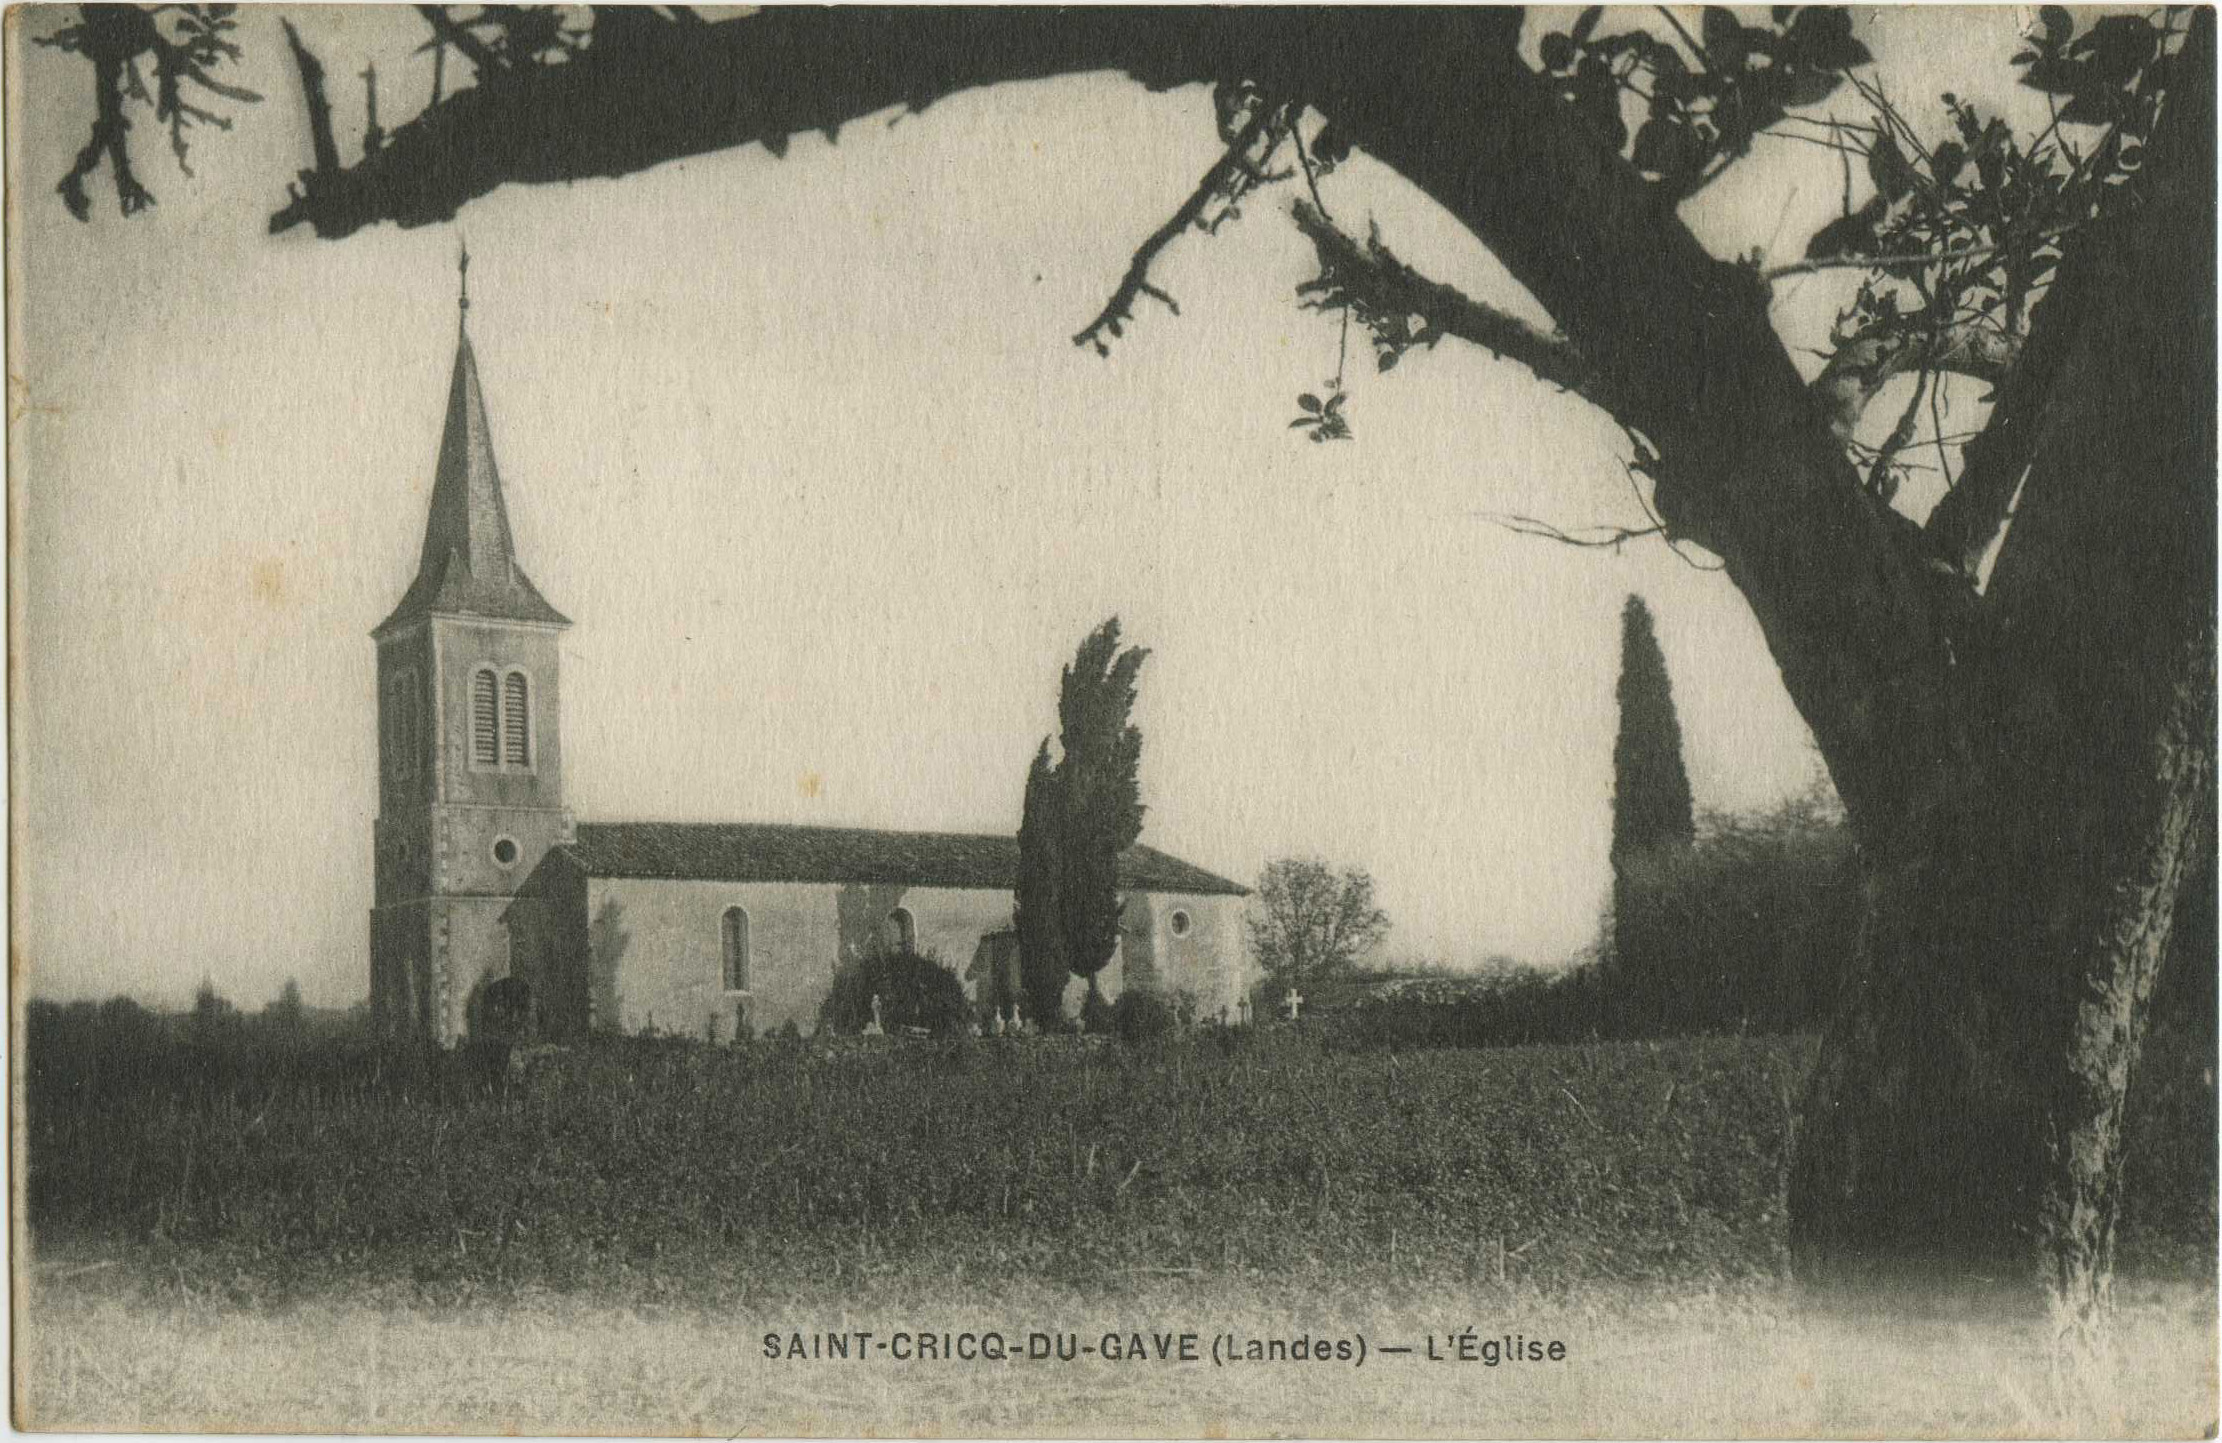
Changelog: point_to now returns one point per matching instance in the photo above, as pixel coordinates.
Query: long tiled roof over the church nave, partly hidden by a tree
(765, 853)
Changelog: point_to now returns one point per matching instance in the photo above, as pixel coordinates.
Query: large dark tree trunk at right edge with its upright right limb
(1965, 1122)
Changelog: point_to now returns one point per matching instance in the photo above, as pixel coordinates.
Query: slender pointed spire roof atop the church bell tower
(470, 566)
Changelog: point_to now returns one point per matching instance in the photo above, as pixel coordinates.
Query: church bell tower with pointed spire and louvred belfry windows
(470, 750)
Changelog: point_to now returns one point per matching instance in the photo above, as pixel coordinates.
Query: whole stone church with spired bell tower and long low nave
(681, 928)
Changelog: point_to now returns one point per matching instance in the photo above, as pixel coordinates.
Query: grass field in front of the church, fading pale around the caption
(605, 1244)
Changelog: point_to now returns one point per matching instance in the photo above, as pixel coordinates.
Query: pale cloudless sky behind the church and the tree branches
(808, 455)
